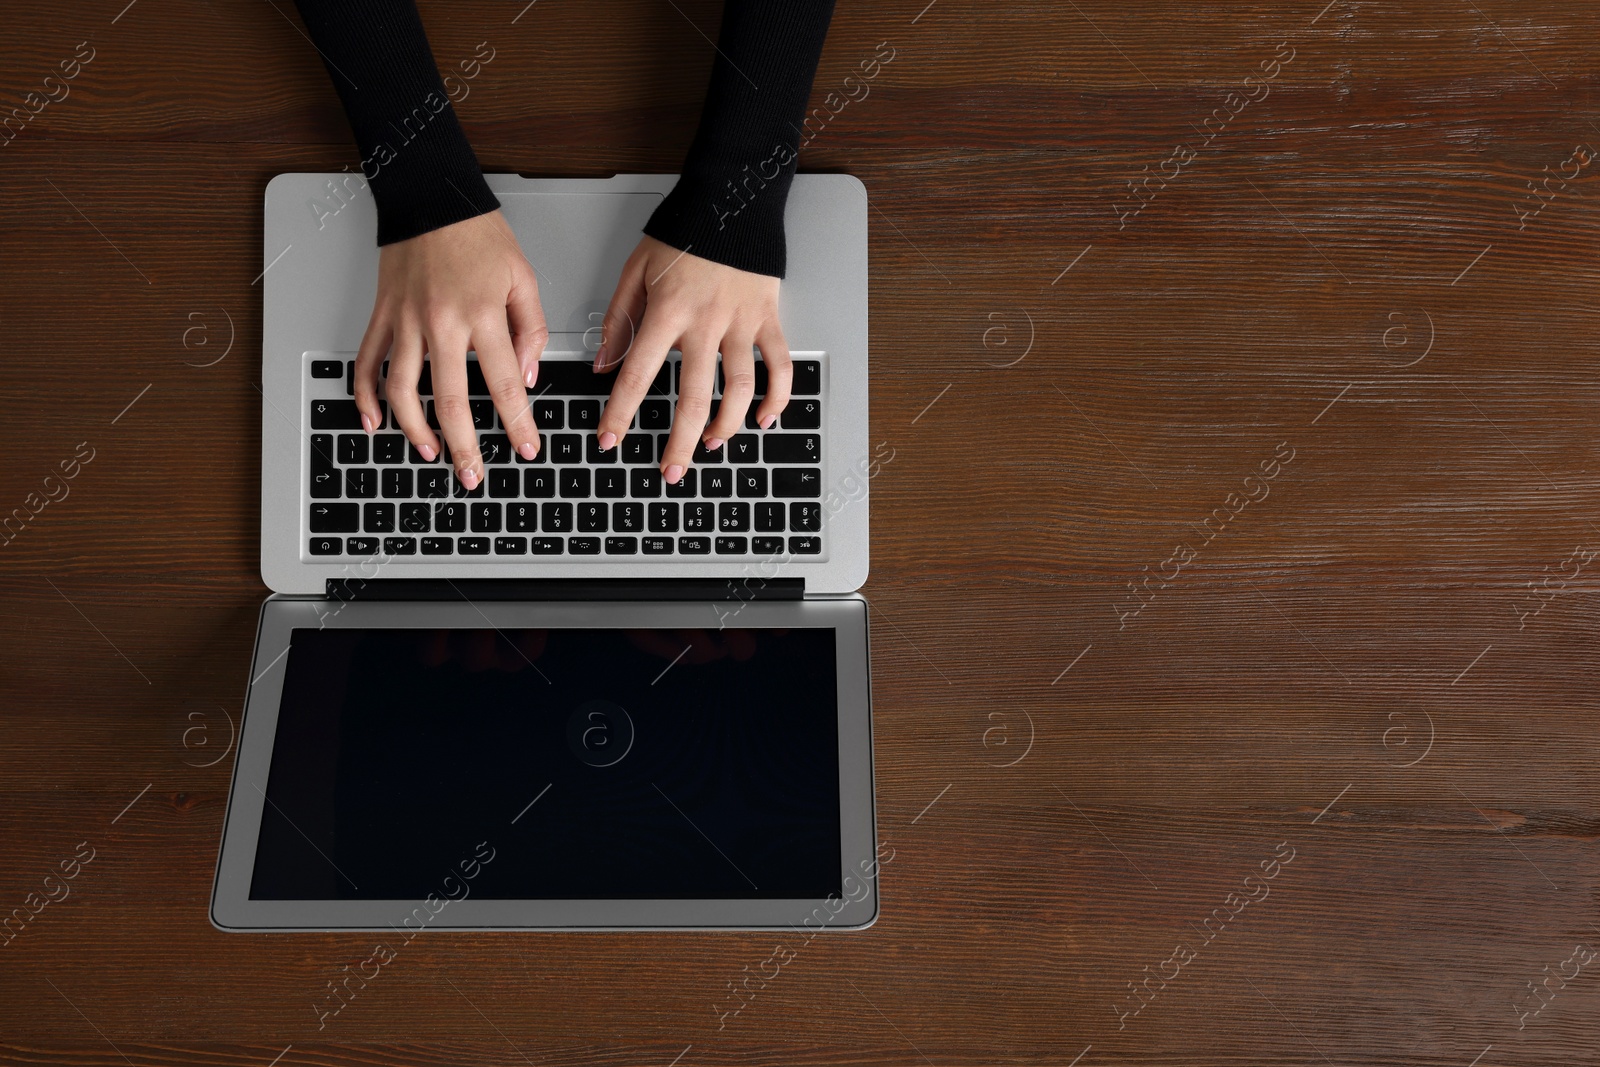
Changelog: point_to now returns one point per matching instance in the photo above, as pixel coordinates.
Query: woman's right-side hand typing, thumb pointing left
(700, 308)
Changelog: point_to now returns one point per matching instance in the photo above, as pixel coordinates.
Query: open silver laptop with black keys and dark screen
(572, 698)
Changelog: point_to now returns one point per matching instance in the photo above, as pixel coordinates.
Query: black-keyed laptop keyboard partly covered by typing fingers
(375, 497)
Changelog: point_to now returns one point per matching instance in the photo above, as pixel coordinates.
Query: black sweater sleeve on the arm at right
(729, 206)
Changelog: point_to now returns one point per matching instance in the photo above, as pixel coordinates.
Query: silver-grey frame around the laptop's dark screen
(233, 909)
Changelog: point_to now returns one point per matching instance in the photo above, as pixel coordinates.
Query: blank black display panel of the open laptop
(564, 764)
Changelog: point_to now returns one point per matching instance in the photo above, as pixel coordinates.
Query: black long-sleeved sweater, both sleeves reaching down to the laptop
(727, 207)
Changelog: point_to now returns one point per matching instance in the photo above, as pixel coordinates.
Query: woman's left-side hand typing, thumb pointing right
(462, 287)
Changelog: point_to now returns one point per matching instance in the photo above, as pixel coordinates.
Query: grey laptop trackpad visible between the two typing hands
(578, 244)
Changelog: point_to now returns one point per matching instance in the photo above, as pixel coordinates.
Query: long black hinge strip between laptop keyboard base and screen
(567, 589)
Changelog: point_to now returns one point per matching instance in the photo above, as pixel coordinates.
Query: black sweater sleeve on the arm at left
(415, 156)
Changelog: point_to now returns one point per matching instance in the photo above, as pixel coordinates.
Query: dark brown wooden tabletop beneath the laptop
(1342, 669)
